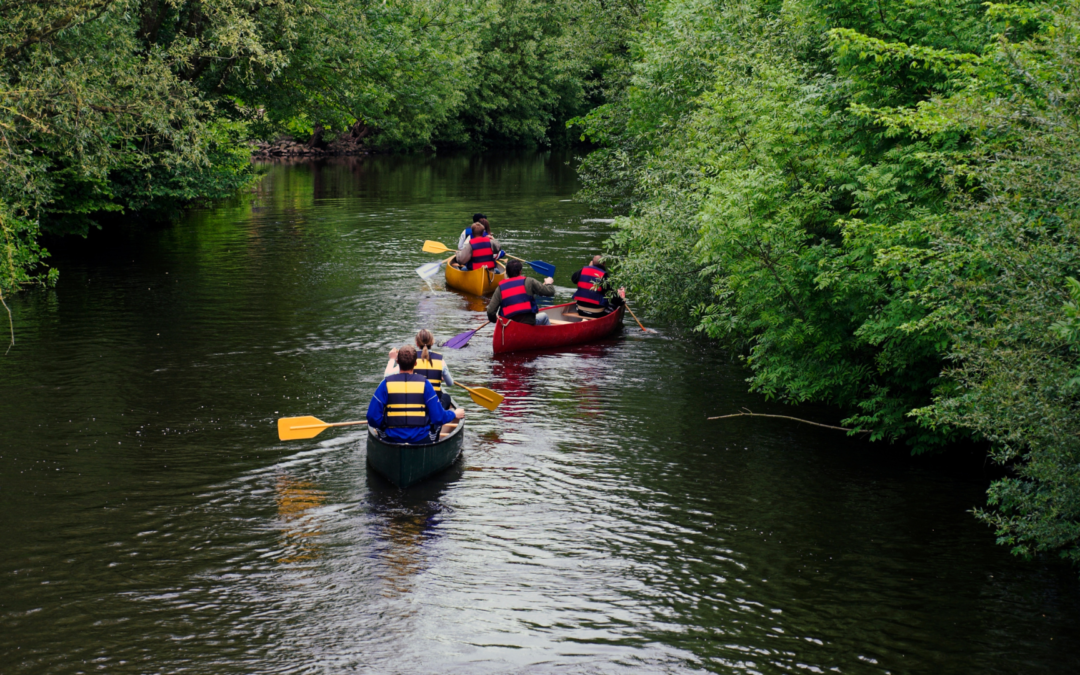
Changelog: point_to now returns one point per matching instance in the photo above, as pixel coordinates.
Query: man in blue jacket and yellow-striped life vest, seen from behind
(406, 408)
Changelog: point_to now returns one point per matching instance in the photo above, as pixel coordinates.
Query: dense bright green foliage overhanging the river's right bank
(876, 202)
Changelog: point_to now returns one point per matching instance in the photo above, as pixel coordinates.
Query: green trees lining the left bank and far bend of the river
(142, 107)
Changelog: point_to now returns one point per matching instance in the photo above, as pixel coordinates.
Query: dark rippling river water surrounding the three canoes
(153, 523)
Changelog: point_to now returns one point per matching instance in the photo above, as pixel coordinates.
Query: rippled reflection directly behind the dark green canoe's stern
(407, 528)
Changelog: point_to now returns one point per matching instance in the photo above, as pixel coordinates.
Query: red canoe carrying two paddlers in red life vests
(566, 328)
